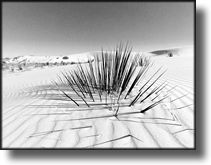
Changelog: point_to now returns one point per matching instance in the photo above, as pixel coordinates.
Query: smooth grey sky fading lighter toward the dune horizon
(63, 28)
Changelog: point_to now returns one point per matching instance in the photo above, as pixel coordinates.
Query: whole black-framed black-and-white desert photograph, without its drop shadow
(98, 75)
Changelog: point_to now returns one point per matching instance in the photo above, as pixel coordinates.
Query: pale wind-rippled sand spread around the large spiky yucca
(32, 120)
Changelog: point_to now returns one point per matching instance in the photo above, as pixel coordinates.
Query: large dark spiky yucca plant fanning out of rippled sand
(110, 80)
